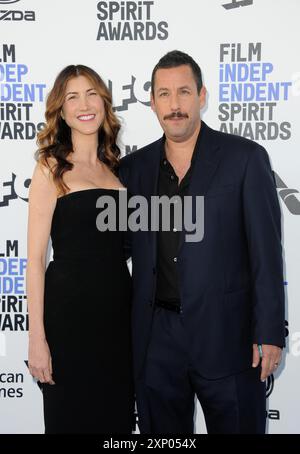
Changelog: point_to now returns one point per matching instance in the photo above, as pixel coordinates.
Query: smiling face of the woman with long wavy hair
(83, 107)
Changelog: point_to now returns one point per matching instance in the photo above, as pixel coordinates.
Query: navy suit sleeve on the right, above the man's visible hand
(263, 228)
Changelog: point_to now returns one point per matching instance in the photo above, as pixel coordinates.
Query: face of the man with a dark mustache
(177, 103)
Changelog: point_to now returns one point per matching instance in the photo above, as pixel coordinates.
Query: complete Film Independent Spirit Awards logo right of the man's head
(248, 96)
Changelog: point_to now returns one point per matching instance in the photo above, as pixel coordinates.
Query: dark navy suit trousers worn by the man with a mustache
(234, 404)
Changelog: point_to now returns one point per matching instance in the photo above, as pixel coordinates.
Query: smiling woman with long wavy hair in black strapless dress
(79, 311)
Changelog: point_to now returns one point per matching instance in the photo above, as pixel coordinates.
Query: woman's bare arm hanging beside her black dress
(42, 201)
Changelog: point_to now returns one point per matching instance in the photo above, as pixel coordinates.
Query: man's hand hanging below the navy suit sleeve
(271, 357)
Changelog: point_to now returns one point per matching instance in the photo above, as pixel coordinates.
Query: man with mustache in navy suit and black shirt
(203, 310)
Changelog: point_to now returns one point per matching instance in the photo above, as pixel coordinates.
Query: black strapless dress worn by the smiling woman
(87, 322)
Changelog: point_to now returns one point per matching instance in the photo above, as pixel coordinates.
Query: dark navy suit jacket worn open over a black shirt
(231, 282)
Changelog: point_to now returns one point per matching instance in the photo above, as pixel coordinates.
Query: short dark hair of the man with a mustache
(177, 58)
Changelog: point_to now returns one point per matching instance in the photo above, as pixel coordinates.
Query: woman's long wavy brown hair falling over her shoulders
(54, 141)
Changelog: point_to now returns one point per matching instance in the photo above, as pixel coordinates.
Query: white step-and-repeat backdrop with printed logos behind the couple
(249, 54)
